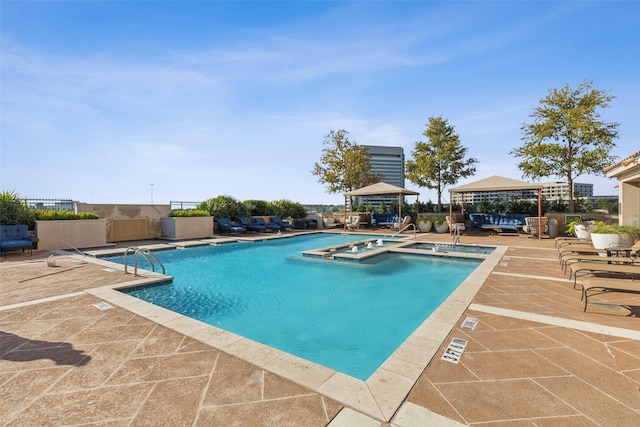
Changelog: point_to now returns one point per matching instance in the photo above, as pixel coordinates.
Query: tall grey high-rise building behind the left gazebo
(388, 162)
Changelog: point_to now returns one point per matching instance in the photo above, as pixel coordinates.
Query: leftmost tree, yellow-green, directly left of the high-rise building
(344, 165)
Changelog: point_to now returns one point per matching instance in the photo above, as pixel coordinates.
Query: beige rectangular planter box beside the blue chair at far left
(83, 233)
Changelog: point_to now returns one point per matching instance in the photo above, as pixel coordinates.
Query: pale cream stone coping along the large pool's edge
(379, 397)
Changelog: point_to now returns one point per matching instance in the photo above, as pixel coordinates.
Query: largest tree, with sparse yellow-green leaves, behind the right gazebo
(568, 138)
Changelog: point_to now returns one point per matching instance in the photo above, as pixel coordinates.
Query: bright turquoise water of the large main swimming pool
(348, 316)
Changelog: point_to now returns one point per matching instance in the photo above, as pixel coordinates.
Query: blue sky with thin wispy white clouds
(123, 101)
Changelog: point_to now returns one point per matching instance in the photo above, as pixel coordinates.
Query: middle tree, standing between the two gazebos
(440, 161)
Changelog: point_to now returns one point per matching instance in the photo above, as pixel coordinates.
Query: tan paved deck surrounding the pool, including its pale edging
(534, 358)
